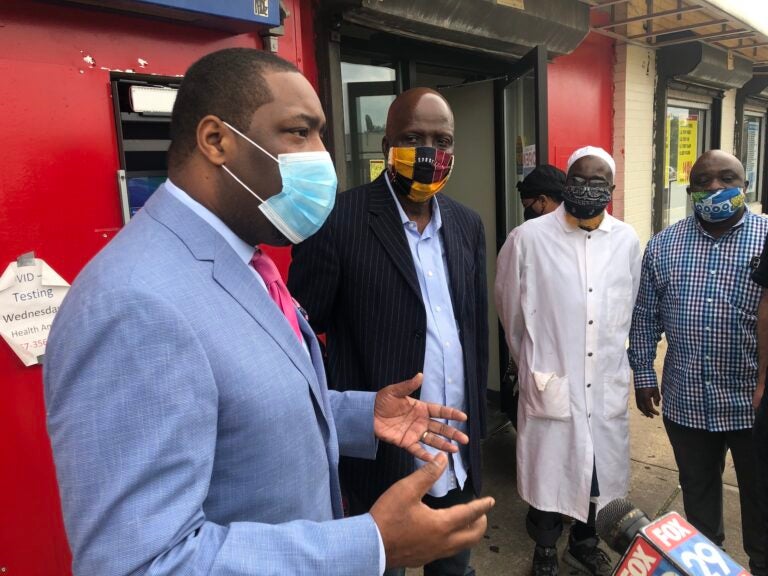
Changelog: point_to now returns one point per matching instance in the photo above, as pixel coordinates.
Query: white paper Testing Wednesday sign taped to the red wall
(30, 296)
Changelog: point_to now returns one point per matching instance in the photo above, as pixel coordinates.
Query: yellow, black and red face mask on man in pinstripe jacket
(418, 173)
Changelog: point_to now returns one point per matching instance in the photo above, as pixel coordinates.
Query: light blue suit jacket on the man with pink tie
(191, 432)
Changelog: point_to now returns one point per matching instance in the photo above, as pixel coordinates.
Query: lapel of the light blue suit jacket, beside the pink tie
(234, 276)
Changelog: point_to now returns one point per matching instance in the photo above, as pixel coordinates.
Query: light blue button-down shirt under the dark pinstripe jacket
(443, 358)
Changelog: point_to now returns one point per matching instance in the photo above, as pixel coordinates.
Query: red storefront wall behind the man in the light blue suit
(58, 197)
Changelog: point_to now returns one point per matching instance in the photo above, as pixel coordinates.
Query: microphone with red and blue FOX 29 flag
(667, 546)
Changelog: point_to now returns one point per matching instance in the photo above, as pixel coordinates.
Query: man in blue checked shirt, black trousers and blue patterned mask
(695, 287)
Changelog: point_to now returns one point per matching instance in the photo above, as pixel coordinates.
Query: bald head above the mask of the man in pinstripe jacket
(419, 117)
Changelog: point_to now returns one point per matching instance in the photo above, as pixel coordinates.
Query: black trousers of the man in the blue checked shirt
(700, 457)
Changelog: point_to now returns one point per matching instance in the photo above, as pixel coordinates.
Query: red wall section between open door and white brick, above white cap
(581, 99)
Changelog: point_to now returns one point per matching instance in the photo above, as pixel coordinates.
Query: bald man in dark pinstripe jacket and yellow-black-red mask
(396, 279)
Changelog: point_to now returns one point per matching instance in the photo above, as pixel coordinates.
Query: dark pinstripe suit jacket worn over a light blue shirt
(357, 280)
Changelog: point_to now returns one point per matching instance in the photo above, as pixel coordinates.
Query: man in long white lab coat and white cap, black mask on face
(565, 286)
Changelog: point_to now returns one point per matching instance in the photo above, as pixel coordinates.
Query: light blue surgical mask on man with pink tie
(308, 194)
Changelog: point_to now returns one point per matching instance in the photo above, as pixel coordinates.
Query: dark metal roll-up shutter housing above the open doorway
(506, 28)
